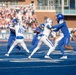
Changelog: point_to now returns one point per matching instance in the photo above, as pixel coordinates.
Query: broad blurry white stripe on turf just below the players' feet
(31, 60)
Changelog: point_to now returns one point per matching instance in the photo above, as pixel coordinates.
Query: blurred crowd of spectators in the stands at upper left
(25, 14)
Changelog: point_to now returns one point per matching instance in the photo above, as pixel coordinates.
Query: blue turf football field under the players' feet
(18, 64)
